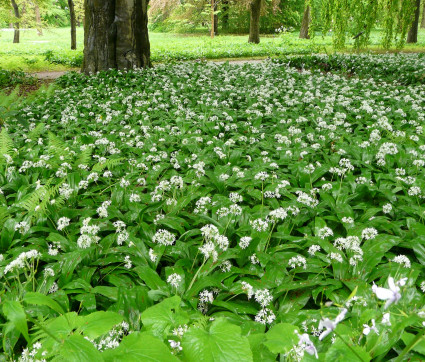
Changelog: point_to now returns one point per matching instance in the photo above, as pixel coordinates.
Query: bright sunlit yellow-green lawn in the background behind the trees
(51, 52)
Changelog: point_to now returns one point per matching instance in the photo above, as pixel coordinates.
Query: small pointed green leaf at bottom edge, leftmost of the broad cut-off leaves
(77, 348)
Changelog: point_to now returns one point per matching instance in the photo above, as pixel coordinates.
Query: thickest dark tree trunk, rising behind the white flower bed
(116, 35)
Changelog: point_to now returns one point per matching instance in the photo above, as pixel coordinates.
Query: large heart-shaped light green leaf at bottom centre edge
(222, 342)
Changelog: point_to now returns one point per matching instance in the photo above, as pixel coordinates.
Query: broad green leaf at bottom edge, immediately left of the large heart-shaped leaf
(140, 347)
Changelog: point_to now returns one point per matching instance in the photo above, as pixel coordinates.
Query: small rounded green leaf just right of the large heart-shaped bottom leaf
(281, 338)
